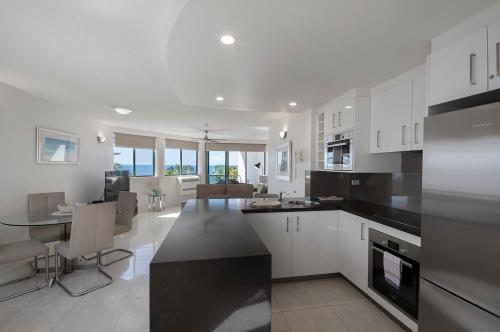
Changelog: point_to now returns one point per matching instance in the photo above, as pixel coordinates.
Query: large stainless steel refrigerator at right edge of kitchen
(460, 271)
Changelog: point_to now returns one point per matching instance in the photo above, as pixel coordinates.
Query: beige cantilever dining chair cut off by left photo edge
(22, 250)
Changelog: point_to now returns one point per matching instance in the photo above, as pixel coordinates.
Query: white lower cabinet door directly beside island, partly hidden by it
(274, 229)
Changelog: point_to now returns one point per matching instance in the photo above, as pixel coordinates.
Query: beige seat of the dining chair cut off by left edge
(16, 251)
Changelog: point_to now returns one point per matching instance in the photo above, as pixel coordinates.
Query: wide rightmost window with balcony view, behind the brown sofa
(234, 166)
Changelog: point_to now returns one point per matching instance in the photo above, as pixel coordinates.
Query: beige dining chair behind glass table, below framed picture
(42, 202)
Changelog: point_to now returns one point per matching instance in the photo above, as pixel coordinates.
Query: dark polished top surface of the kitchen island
(210, 229)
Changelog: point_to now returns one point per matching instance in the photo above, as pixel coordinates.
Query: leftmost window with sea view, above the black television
(139, 162)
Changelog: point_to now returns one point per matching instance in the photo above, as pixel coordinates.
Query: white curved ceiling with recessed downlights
(163, 59)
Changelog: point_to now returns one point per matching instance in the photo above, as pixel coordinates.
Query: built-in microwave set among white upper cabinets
(339, 151)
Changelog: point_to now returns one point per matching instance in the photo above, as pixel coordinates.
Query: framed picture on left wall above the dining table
(56, 147)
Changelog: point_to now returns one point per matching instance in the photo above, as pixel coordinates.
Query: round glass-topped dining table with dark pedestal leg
(44, 218)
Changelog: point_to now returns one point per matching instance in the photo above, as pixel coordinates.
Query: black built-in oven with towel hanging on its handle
(401, 290)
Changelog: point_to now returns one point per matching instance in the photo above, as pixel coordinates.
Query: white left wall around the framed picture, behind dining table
(20, 114)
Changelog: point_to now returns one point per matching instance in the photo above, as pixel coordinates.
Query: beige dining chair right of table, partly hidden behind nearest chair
(127, 202)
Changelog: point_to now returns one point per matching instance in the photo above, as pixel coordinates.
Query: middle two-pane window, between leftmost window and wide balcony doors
(181, 162)
